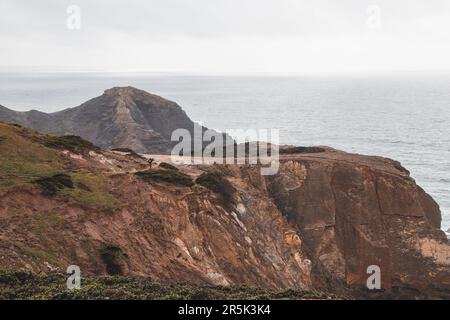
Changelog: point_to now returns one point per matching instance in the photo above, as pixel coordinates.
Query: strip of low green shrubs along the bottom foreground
(24, 285)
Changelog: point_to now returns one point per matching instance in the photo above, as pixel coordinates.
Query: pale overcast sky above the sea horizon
(314, 36)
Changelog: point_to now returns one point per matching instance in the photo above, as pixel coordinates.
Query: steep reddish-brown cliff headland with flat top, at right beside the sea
(354, 211)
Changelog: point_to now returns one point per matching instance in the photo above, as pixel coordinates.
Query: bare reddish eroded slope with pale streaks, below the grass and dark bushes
(166, 232)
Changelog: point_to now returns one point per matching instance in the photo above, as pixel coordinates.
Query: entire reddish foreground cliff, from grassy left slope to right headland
(315, 225)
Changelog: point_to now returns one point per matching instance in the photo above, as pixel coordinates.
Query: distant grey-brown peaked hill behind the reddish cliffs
(123, 117)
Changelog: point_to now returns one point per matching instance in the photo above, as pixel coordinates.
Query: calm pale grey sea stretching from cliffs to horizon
(404, 118)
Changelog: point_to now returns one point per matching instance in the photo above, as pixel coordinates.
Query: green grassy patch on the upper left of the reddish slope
(26, 157)
